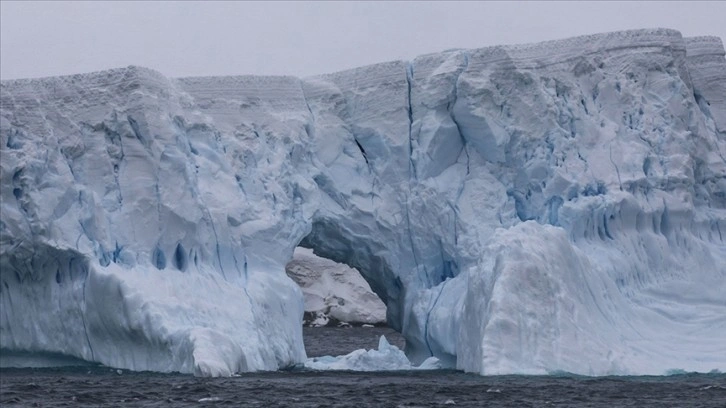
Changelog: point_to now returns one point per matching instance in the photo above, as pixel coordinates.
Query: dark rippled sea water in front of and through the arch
(98, 386)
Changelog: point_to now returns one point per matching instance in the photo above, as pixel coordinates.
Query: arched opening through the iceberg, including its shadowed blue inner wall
(345, 293)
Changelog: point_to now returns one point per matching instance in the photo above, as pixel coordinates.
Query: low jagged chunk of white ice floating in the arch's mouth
(387, 358)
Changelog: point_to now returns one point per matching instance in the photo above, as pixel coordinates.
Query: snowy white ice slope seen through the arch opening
(333, 292)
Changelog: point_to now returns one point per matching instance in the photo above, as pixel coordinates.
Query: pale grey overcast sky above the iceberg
(302, 38)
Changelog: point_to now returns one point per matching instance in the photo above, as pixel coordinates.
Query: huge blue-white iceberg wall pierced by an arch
(520, 209)
